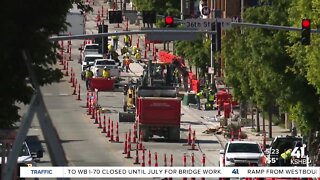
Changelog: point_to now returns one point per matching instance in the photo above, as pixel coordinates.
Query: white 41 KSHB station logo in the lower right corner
(299, 156)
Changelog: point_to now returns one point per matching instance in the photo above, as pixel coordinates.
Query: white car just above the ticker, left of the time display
(242, 153)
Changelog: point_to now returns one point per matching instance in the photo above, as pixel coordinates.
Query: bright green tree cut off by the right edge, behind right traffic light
(306, 65)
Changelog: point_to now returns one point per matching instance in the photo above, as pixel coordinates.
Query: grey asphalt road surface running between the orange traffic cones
(85, 145)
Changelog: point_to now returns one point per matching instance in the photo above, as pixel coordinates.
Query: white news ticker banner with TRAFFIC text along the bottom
(147, 172)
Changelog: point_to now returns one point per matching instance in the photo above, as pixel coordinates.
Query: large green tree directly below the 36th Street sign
(262, 60)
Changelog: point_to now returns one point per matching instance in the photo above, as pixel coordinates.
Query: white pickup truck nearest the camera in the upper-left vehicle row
(110, 64)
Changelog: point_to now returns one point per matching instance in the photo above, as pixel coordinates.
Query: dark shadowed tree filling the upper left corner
(27, 27)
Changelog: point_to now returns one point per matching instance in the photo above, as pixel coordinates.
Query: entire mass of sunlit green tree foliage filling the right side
(270, 67)
